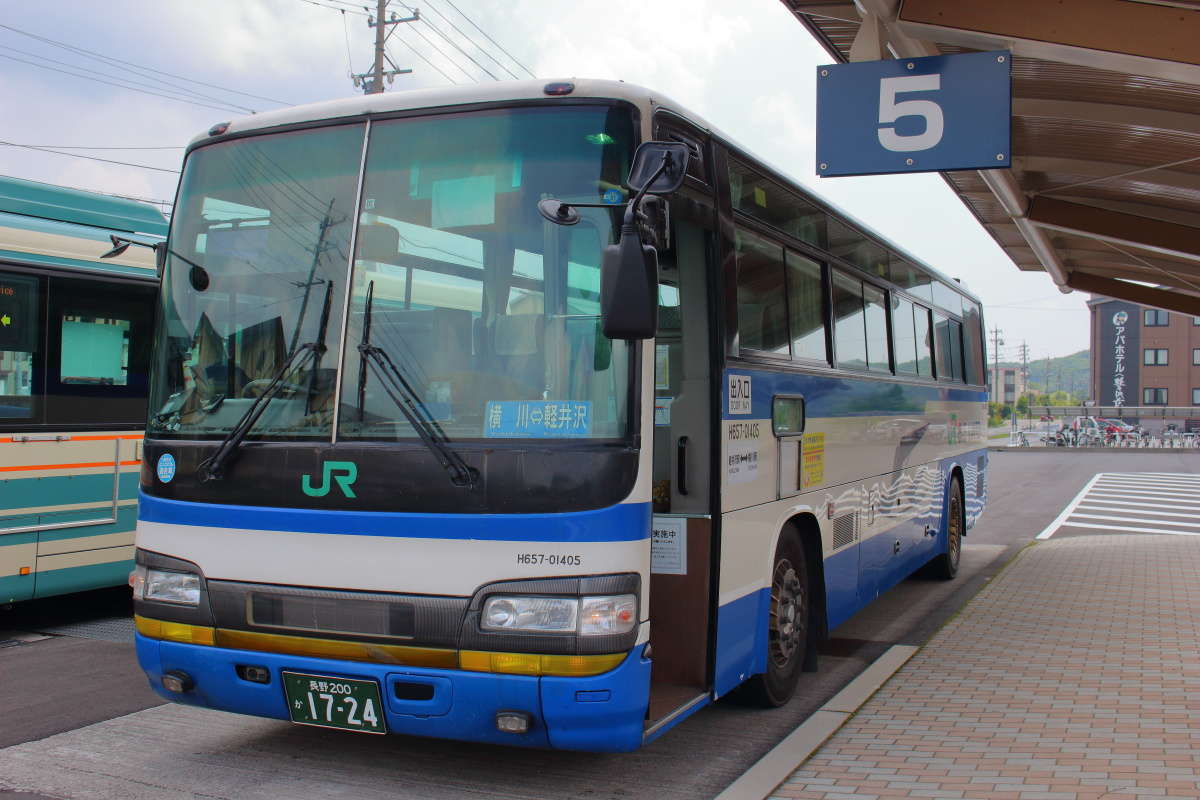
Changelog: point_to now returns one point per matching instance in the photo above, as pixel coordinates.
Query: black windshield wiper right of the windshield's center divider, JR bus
(410, 402)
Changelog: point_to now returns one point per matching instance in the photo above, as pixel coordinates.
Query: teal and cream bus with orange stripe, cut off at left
(76, 336)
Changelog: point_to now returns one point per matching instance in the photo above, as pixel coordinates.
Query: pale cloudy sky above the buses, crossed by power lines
(748, 68)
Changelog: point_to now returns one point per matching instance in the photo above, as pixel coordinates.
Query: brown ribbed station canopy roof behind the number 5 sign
(1105, 188)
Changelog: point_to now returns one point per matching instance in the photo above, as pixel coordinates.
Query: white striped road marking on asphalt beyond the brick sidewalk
(1145, 503)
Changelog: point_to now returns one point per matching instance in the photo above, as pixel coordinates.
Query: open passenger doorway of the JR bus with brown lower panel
(682, 545)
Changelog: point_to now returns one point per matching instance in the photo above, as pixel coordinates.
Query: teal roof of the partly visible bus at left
(62, 204)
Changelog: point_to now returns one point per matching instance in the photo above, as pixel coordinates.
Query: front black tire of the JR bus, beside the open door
(789, 627)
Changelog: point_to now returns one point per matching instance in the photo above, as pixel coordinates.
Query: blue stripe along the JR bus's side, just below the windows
(835, 396)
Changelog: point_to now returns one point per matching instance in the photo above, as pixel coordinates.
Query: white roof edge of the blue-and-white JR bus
(525, 91)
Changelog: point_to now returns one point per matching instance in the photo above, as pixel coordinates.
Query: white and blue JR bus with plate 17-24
(428, 454)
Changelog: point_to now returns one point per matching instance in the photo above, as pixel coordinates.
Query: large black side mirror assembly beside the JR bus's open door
(629, 270)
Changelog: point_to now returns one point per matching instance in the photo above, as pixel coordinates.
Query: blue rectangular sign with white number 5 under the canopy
(915, 116)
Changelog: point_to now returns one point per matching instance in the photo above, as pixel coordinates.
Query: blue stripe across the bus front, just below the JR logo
(621, 524)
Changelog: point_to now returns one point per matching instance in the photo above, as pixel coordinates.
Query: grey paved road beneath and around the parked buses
(107, 748)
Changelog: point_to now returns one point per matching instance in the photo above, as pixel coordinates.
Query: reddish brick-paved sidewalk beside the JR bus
(1076, 676)
